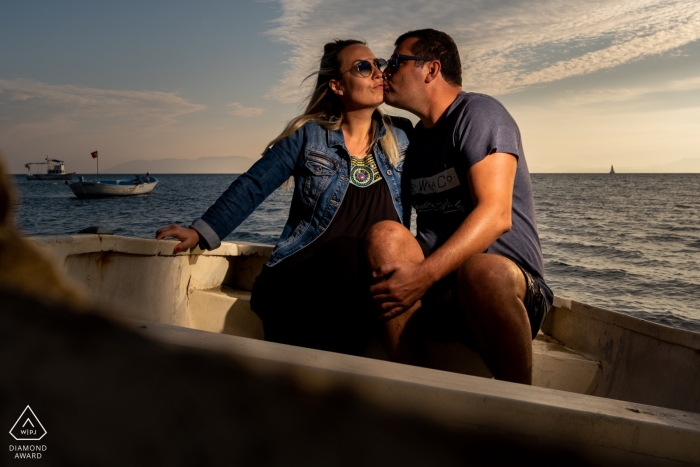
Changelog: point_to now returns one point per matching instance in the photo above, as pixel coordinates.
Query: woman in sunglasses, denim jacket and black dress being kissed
(346, 159)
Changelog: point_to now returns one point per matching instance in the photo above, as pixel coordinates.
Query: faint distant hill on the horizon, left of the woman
(203, 165)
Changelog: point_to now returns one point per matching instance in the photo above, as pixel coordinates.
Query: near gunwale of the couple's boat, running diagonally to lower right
(462, 400)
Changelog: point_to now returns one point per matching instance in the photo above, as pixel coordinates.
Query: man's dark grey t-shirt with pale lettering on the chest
(437, 165)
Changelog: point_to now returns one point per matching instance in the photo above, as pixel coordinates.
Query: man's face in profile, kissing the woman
(404, 84)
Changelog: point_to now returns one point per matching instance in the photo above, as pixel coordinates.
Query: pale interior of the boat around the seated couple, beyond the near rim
(580, 349)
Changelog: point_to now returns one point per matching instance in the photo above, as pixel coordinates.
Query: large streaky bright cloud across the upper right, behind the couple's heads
(505, 46)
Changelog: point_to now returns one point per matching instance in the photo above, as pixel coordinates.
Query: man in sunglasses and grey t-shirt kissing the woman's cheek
(474, 272)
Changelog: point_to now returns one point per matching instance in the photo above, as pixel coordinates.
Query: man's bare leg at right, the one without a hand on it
(491, 292)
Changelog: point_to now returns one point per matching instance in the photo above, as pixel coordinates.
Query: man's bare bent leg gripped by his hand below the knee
(389, 241)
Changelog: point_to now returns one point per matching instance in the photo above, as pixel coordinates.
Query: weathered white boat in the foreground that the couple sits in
(613, 387)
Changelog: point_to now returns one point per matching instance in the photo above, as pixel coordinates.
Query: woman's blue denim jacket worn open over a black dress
(320, 164)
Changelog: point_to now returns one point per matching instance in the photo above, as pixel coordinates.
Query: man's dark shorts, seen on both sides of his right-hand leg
(442, 319)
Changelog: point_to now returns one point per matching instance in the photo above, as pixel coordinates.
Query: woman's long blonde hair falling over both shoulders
(325, 108)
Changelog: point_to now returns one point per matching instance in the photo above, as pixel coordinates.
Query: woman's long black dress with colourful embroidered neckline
(319, 297)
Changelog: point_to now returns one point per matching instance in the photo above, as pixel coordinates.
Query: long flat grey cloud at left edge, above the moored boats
(31, 102)
